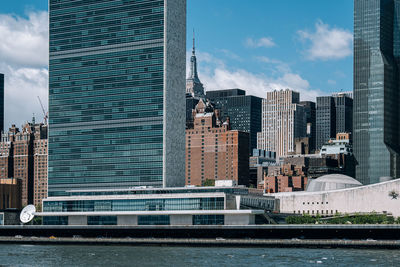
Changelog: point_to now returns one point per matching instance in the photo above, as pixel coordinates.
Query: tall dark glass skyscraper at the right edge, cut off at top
(376, 89)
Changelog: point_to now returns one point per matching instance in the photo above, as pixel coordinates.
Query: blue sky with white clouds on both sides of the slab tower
(256, 45)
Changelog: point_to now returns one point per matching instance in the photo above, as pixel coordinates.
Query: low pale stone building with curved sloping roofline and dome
(334, 194)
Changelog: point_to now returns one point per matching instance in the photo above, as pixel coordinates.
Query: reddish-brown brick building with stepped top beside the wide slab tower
(213, 151)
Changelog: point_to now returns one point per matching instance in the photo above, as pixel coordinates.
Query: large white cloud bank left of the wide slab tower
(24, 62)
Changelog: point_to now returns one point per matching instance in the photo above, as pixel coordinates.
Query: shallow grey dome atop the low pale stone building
(332, 182)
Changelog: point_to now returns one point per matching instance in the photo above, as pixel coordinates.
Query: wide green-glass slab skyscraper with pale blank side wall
(117, 97)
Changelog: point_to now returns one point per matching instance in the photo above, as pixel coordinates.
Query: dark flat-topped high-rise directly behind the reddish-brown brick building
(244, 111)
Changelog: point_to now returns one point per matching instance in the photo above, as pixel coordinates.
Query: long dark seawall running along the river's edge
(255, 232)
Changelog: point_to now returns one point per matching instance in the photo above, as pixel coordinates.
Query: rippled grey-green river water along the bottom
(71, 255)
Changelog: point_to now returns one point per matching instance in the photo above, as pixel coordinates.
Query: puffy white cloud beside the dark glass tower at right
(327, 42)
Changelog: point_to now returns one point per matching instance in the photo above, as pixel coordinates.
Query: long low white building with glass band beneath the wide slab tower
(151, 206)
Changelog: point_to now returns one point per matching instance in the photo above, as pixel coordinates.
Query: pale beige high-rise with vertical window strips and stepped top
(283, 119)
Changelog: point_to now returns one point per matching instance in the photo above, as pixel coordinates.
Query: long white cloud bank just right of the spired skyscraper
(215, 75)
